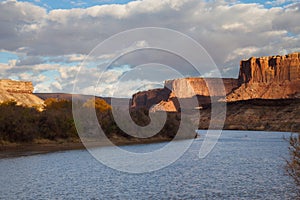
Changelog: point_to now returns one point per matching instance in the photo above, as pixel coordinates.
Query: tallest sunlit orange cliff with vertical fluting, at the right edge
(273, 77)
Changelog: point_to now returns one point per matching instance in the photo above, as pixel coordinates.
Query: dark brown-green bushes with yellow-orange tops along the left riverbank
(20, 124)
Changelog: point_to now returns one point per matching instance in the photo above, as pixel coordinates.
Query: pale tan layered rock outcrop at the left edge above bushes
(20, 92)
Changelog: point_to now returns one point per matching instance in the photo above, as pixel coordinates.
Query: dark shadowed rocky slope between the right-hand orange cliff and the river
(259, 115)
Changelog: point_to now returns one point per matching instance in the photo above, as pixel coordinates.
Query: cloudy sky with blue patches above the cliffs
(48, 42)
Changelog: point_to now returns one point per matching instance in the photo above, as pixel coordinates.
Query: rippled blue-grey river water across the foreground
(243, 165)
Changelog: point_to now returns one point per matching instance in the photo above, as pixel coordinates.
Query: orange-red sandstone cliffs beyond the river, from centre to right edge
(271, 77)
